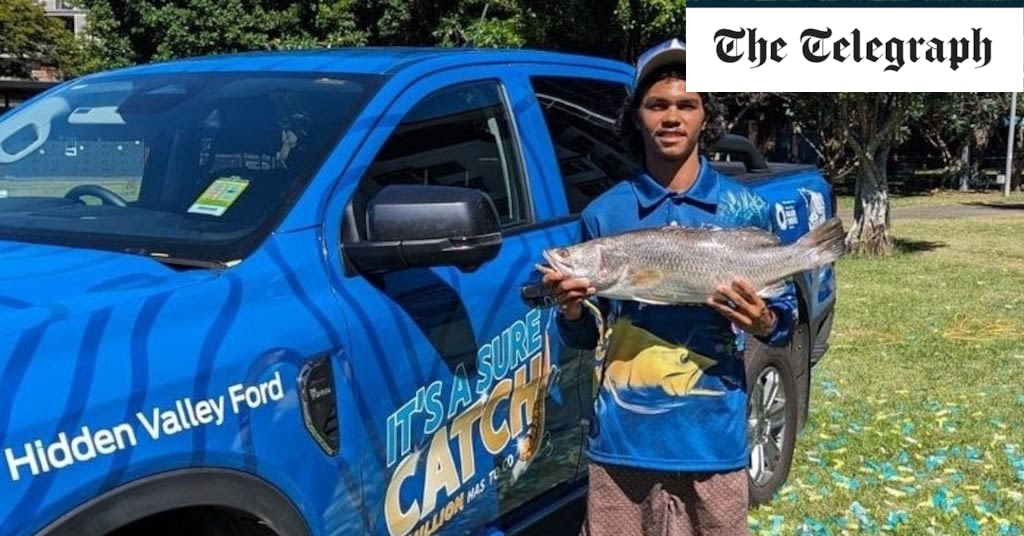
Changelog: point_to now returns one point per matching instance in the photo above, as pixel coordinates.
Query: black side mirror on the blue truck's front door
(426, 226)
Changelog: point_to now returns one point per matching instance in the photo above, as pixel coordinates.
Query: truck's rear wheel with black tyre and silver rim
(773, 418)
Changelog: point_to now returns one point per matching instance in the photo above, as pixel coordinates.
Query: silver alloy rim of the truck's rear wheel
(766, 425)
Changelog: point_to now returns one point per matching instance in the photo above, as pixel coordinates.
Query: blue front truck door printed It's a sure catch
(460, 396)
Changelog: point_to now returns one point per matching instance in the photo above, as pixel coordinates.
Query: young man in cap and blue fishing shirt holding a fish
(668, 444)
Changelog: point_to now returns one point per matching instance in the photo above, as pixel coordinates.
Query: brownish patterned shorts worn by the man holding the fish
(624, 502)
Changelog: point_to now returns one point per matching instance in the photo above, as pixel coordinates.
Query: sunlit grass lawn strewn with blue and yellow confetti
(917, 421)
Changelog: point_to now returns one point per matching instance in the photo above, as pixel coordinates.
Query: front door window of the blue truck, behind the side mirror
(457, 137)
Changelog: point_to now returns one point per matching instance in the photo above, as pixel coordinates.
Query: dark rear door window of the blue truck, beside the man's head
(582, 117)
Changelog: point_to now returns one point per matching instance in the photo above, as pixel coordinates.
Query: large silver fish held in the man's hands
(673, 265)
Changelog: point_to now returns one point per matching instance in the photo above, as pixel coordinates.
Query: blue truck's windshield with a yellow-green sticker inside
(192, 166)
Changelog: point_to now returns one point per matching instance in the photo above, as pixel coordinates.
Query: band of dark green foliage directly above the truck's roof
(127, 33)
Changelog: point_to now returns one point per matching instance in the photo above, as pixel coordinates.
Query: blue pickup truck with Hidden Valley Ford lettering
(281, 294)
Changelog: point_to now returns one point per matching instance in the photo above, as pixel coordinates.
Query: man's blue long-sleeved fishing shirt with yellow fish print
(672, 389)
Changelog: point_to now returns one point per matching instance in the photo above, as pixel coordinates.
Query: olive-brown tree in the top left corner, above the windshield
(29, 37)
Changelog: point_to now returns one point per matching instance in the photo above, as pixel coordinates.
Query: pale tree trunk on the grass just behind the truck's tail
(870, 235)
